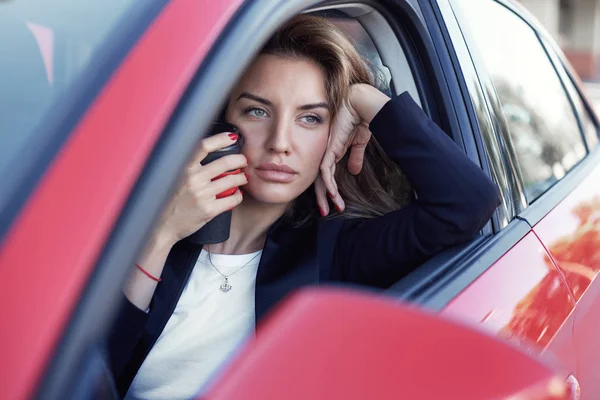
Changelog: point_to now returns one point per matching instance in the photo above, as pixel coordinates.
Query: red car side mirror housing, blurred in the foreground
(335, 344)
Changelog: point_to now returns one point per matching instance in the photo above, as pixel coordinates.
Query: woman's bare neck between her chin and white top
(250, 223)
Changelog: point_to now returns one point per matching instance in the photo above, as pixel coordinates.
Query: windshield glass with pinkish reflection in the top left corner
(42, 53)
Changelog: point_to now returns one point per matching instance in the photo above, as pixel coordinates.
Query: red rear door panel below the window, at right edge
(571, 232)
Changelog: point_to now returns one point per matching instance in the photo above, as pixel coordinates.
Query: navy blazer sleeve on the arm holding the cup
(125, 334)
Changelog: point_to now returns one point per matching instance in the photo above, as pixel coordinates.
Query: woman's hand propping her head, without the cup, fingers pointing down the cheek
(350, 130)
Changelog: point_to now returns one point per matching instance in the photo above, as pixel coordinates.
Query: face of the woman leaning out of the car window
(281, 108)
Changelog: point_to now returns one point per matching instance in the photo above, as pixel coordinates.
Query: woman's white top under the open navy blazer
(204, 330)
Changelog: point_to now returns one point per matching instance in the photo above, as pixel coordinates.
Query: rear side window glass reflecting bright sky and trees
(542, 125)
